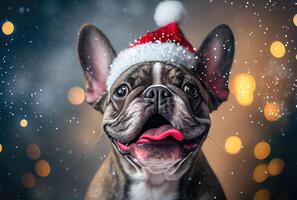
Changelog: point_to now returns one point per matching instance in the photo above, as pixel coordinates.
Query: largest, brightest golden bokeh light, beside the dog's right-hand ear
(243, 87)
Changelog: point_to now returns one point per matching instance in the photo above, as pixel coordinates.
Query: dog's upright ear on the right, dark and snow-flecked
(215, 58)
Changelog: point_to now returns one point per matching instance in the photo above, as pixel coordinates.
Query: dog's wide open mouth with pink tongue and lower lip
(158, 140)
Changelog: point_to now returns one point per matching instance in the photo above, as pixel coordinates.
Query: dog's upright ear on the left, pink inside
(95, 55)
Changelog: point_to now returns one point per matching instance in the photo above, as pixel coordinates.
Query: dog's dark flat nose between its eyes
(160, 92)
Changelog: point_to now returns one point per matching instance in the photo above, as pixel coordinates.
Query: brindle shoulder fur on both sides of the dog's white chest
(111, 182)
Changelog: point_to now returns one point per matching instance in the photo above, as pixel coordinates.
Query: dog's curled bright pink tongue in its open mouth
(160, 134)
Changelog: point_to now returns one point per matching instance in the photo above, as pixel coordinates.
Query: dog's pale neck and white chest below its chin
(146, 185)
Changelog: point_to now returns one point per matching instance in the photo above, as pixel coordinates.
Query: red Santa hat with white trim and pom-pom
(167, 43)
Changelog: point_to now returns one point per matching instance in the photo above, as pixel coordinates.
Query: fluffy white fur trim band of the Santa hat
(149, 52)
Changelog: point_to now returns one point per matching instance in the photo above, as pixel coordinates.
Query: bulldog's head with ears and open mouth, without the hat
(156, 113)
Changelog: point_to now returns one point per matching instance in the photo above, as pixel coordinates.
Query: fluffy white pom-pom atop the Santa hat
(169, 11)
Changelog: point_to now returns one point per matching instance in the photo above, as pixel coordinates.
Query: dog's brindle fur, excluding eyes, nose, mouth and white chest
(124, 118)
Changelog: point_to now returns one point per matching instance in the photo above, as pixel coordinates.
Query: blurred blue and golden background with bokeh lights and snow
(49, 138)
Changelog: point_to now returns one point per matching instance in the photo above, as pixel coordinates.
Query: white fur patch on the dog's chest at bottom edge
(142, 190)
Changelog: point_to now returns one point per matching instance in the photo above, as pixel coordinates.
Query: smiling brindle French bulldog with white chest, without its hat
(156, 116)
